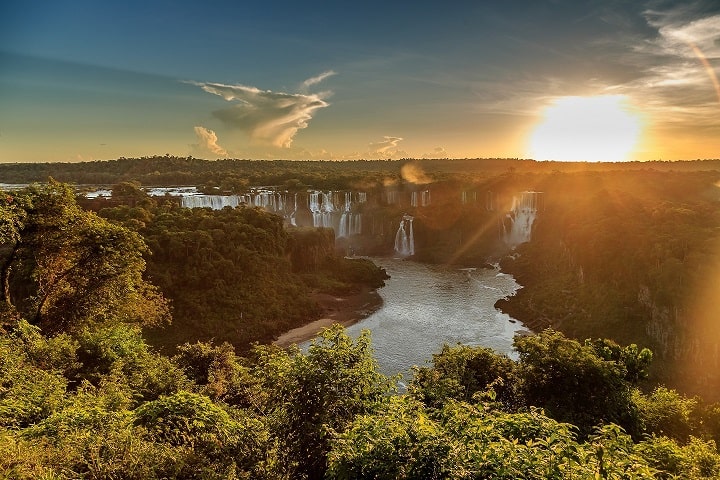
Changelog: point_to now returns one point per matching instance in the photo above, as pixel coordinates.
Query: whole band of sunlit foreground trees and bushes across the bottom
(282, 414)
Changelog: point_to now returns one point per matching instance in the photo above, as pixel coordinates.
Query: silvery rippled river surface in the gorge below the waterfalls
(426, 306)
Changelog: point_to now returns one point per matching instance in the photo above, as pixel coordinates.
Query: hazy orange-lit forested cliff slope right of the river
(632, 256)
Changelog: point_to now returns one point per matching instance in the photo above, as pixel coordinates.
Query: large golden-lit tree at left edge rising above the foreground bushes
(69, 268)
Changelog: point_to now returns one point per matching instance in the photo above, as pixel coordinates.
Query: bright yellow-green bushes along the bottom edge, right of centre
(461, 441)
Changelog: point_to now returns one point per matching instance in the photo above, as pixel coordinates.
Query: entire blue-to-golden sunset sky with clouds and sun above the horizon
(545, 79)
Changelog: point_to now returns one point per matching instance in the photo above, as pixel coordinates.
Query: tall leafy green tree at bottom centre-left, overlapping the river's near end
(318, 393)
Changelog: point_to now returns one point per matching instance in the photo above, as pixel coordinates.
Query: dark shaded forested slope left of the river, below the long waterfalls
(236, 275)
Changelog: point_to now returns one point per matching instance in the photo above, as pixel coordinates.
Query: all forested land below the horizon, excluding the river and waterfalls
(135, 333)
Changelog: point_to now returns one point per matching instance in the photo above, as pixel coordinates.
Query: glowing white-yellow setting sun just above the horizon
(592, 129)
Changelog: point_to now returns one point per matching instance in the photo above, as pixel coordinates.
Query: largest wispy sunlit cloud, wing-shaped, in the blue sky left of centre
(271, 118)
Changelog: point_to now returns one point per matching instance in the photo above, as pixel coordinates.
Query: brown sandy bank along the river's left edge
(344, 310)
